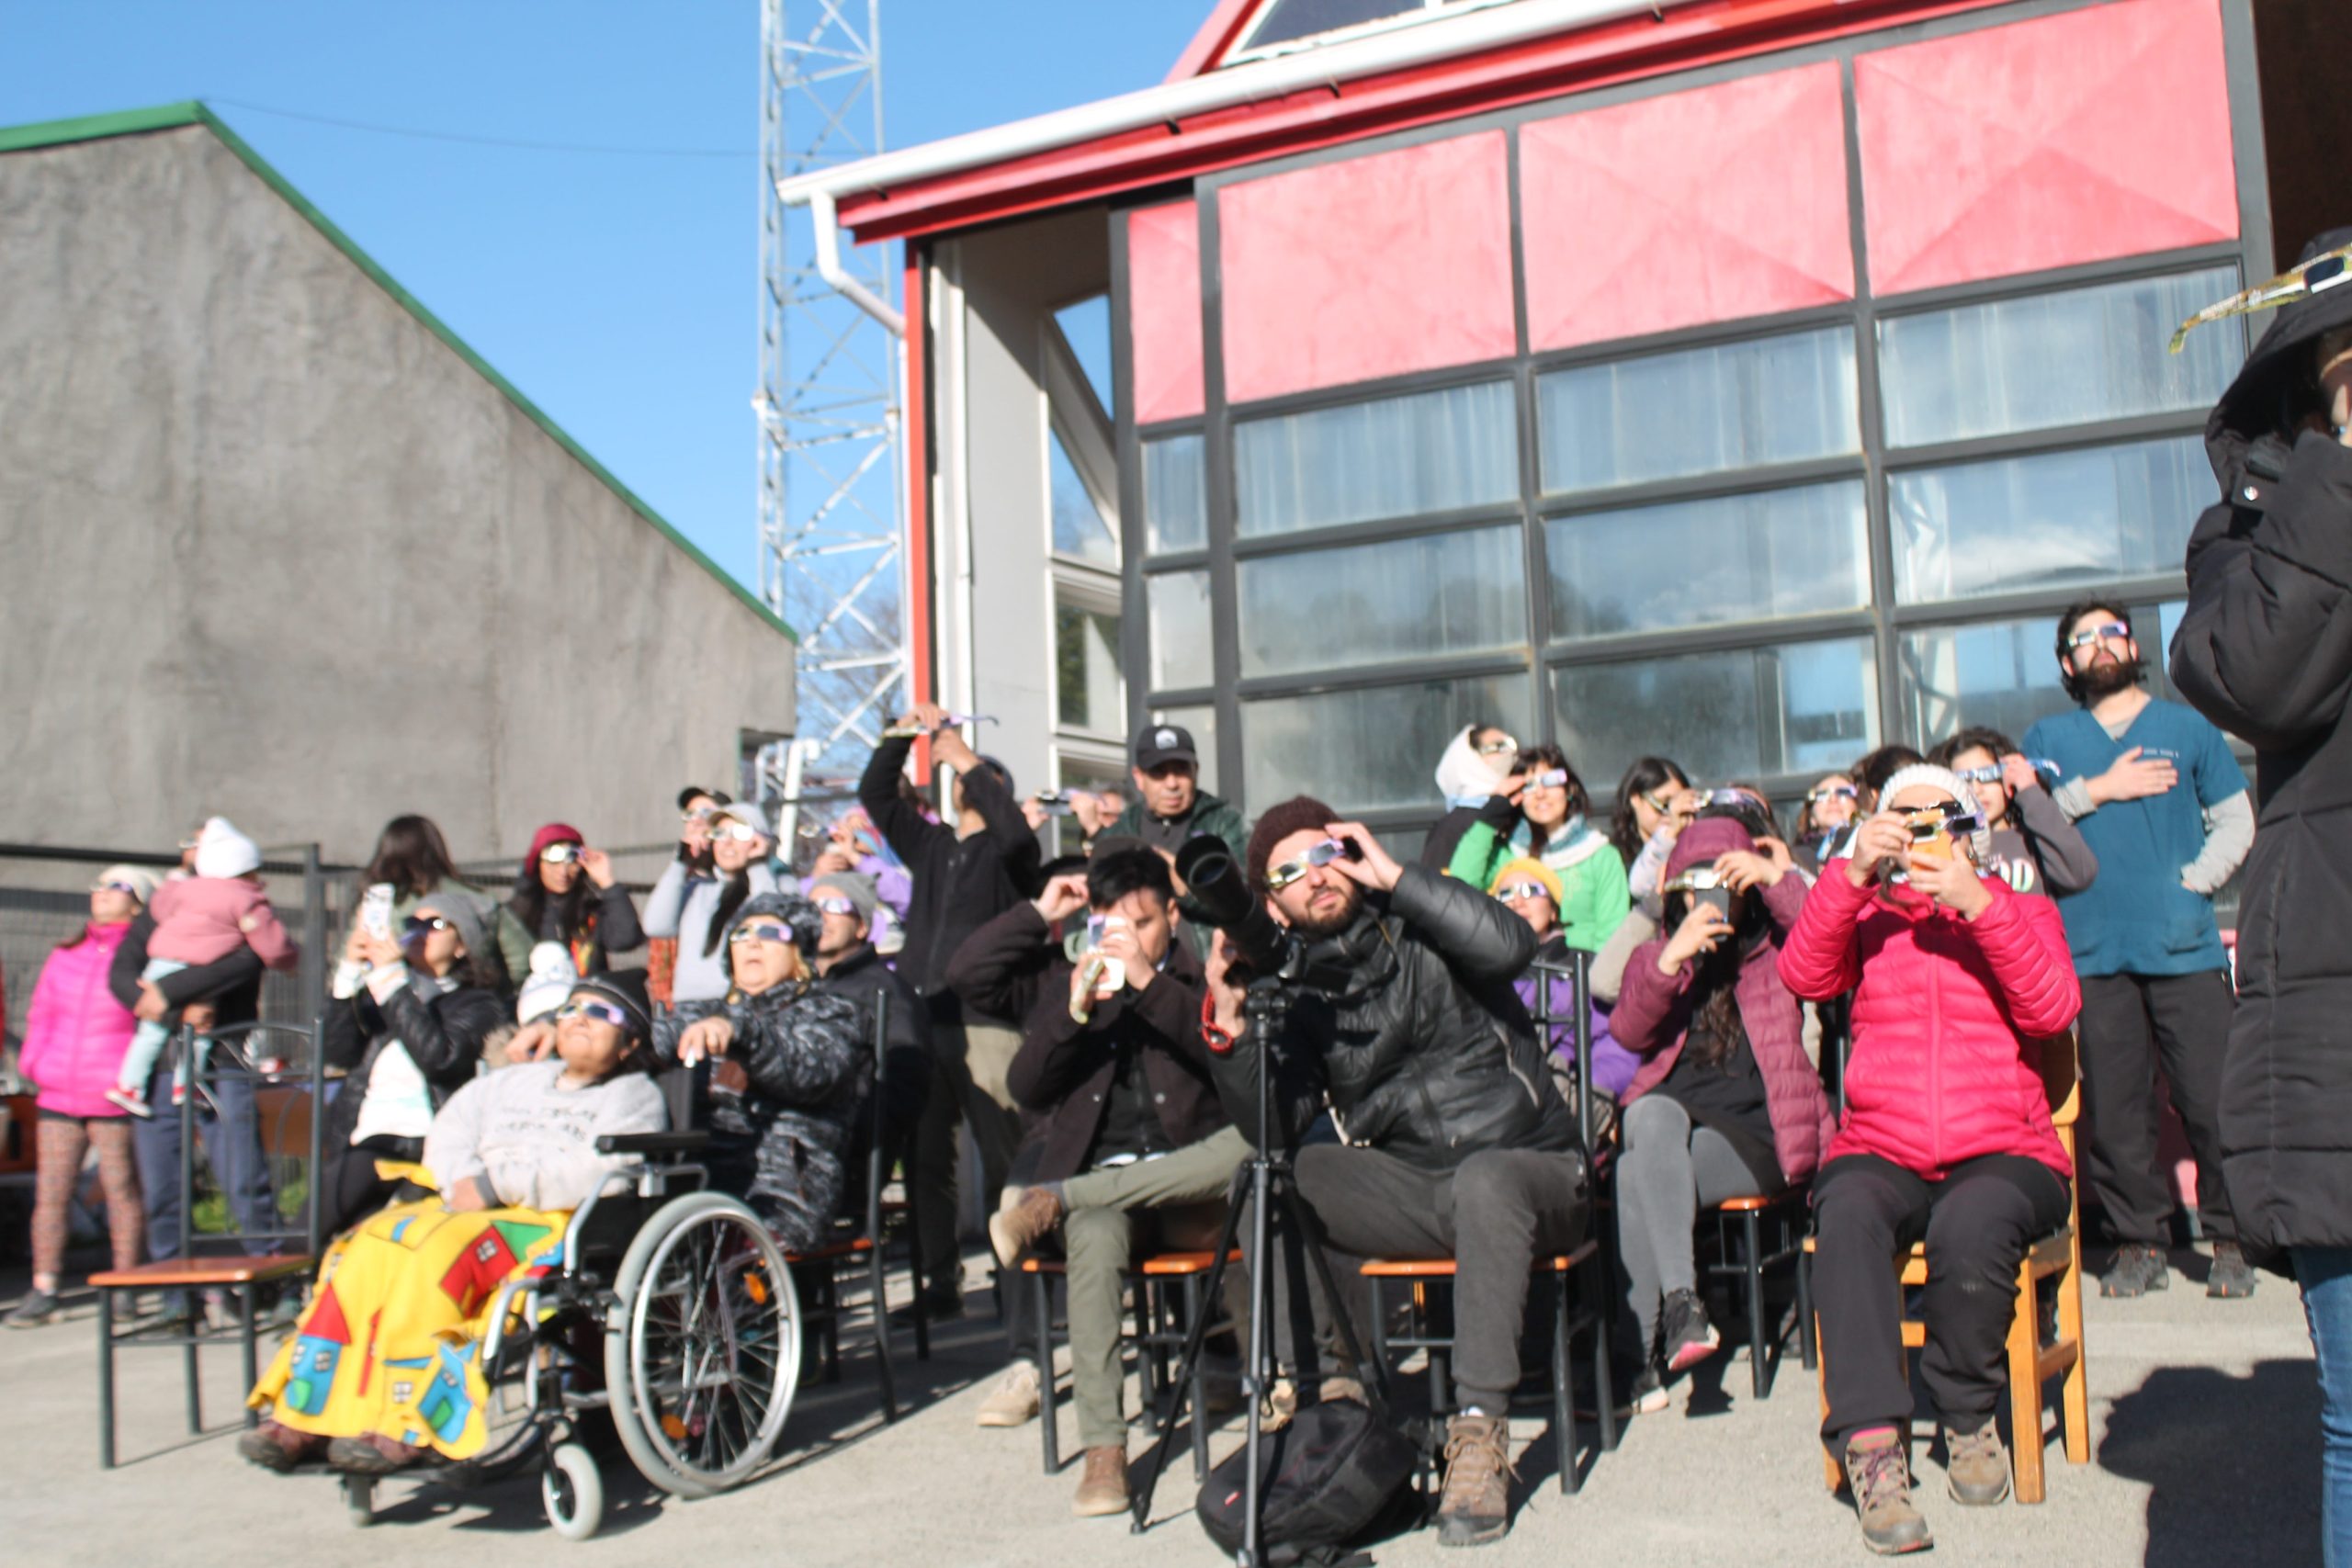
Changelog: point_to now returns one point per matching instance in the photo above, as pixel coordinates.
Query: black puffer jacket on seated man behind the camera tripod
(1429, 1052)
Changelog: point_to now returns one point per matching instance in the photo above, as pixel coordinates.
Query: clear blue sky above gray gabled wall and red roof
(617, 293)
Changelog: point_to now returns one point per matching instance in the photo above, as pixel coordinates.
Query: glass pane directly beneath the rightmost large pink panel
(2054, 361)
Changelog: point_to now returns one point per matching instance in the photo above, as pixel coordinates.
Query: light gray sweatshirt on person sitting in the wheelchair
(535, 1139)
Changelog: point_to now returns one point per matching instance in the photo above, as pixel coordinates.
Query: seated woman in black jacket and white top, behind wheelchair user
(406, 1024)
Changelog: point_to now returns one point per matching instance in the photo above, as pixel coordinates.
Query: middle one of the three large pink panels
(1690, 208)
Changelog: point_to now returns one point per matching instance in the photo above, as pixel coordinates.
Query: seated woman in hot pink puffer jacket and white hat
(1949, 1134)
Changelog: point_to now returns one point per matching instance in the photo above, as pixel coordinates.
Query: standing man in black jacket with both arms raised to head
(965, 876)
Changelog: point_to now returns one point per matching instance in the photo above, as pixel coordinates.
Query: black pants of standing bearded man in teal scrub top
(2130, 1024)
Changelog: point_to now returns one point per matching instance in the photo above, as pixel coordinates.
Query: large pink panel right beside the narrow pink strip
(1363, 269)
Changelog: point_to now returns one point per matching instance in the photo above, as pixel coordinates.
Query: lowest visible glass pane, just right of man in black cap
(1363, 751)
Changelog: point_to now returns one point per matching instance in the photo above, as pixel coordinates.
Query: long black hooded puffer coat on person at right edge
(2266, 652)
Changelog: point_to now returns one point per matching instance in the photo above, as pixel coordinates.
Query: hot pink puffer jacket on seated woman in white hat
(1949, 1017)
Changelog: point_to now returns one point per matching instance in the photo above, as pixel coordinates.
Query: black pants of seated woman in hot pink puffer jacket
(1977, 1224)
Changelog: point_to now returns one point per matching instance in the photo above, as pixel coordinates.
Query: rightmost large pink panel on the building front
(2043, 145)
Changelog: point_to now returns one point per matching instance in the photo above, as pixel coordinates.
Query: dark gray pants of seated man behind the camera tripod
(1492, 1214)
